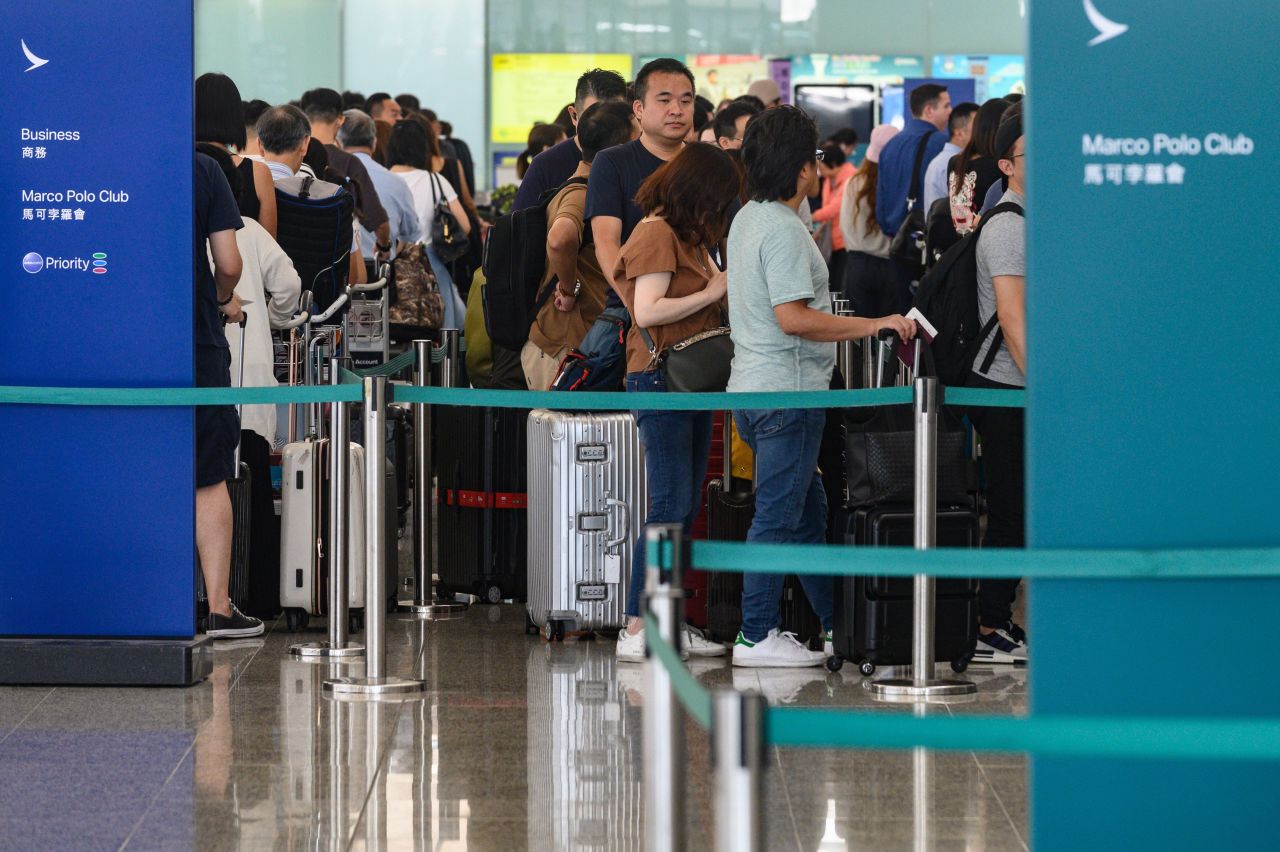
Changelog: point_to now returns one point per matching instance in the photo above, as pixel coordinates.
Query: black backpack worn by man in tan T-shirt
(515, 262)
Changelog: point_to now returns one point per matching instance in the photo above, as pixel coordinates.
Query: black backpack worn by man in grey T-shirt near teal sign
(948, 297)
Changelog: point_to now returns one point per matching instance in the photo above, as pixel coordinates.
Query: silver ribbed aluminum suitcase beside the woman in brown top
(587, 503)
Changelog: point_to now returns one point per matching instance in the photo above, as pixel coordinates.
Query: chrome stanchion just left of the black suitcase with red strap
(424, 603)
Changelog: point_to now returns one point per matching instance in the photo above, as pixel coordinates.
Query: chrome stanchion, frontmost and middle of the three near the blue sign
(377, 682)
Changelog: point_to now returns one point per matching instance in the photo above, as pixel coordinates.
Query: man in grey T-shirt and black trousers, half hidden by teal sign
(1002, 363)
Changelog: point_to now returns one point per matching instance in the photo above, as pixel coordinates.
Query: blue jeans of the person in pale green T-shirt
(790, 507)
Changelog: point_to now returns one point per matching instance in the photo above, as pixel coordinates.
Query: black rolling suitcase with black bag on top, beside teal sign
(874, 616)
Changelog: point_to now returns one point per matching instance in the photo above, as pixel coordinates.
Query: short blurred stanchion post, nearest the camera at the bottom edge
(738, 749)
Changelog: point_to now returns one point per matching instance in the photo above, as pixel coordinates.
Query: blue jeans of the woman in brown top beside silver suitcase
(676, 448)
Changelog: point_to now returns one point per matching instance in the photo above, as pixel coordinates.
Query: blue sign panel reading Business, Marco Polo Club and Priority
(97, 537)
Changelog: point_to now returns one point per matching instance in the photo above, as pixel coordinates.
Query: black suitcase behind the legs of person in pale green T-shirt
(729, 519)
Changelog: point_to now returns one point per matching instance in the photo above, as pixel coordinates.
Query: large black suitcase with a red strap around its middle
(482, 500)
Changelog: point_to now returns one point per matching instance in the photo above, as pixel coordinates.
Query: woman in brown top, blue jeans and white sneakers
(674, 291)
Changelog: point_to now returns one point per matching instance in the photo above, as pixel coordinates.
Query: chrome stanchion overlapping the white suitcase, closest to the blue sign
(339, 539)
